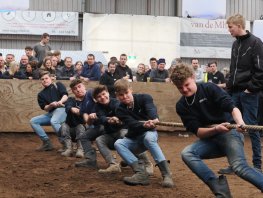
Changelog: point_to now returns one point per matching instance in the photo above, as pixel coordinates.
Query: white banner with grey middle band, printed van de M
(203, 38)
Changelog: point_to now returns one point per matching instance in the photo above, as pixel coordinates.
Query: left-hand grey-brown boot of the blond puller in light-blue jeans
(140, 177)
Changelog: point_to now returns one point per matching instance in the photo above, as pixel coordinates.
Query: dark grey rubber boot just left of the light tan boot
(90, 160)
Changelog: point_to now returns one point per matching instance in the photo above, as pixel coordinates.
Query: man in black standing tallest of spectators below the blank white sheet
(122, 69)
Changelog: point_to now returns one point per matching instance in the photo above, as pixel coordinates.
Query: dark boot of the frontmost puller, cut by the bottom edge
(219, 187)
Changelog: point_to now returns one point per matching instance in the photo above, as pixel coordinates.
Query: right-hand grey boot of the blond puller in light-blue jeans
(167, 176)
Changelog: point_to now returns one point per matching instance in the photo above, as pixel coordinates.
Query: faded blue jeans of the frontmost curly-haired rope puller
(229, 144)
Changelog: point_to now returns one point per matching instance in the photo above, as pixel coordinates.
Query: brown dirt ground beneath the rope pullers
(27, 173)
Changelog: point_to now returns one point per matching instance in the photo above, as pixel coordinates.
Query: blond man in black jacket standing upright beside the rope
(246, 80)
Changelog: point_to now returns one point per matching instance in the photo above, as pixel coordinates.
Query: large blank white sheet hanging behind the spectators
(140, 37)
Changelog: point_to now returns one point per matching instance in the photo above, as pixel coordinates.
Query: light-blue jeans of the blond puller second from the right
(127, 147)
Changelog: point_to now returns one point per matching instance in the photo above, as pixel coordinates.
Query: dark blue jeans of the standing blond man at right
(248, 105)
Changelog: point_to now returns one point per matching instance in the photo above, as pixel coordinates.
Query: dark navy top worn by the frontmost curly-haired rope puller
(210, 105)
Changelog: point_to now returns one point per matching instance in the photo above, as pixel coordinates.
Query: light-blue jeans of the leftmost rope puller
(54, 118)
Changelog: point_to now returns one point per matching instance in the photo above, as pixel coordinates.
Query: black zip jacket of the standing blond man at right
(246, 68)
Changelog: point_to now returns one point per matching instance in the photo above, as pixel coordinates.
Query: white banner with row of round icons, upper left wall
(39, 22)
